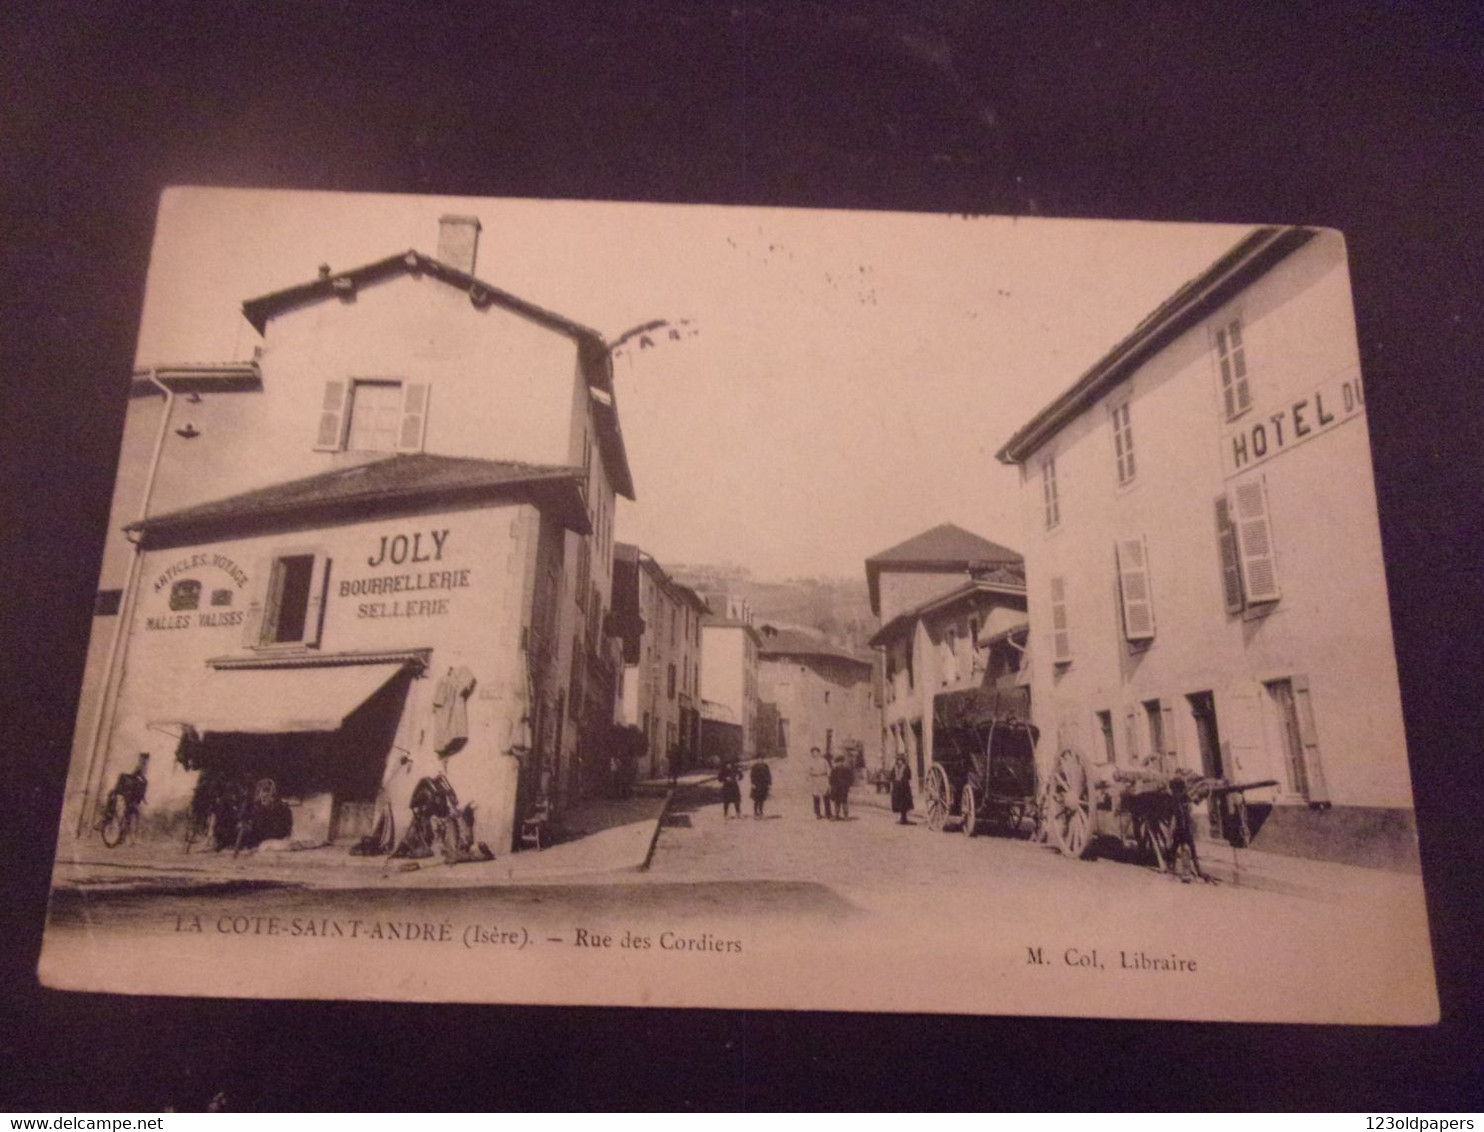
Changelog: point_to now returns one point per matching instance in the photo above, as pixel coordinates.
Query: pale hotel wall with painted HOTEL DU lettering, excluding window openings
(1332, 624)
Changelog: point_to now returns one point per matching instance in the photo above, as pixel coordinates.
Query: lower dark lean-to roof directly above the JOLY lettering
(393, 484)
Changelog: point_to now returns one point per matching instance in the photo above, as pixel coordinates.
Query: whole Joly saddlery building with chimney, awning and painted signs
(348, 575)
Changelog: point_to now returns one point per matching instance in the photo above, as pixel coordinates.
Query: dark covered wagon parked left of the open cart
(985, 762)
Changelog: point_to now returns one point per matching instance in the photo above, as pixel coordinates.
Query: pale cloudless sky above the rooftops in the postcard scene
(841, 381)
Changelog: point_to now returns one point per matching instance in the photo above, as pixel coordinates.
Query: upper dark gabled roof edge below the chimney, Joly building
(593, 351)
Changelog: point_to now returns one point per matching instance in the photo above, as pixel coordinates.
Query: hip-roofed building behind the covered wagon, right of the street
(953, 612)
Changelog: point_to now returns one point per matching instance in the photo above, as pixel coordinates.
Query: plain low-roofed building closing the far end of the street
(814, 694)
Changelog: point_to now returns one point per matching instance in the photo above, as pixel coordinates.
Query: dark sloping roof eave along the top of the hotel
(1250, 259)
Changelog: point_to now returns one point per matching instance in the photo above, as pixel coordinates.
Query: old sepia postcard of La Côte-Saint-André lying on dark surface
(516, 602)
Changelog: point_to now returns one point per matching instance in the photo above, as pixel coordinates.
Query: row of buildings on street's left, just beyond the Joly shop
(661, 628)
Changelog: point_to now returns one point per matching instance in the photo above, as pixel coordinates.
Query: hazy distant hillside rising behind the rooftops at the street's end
(836, 608)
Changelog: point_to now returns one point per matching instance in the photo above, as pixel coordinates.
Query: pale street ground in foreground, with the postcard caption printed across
(882, 916)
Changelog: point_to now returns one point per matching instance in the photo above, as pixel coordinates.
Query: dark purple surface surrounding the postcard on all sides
(1363, 119)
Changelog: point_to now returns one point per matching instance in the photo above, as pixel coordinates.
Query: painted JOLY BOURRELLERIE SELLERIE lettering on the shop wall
(409, 576)
